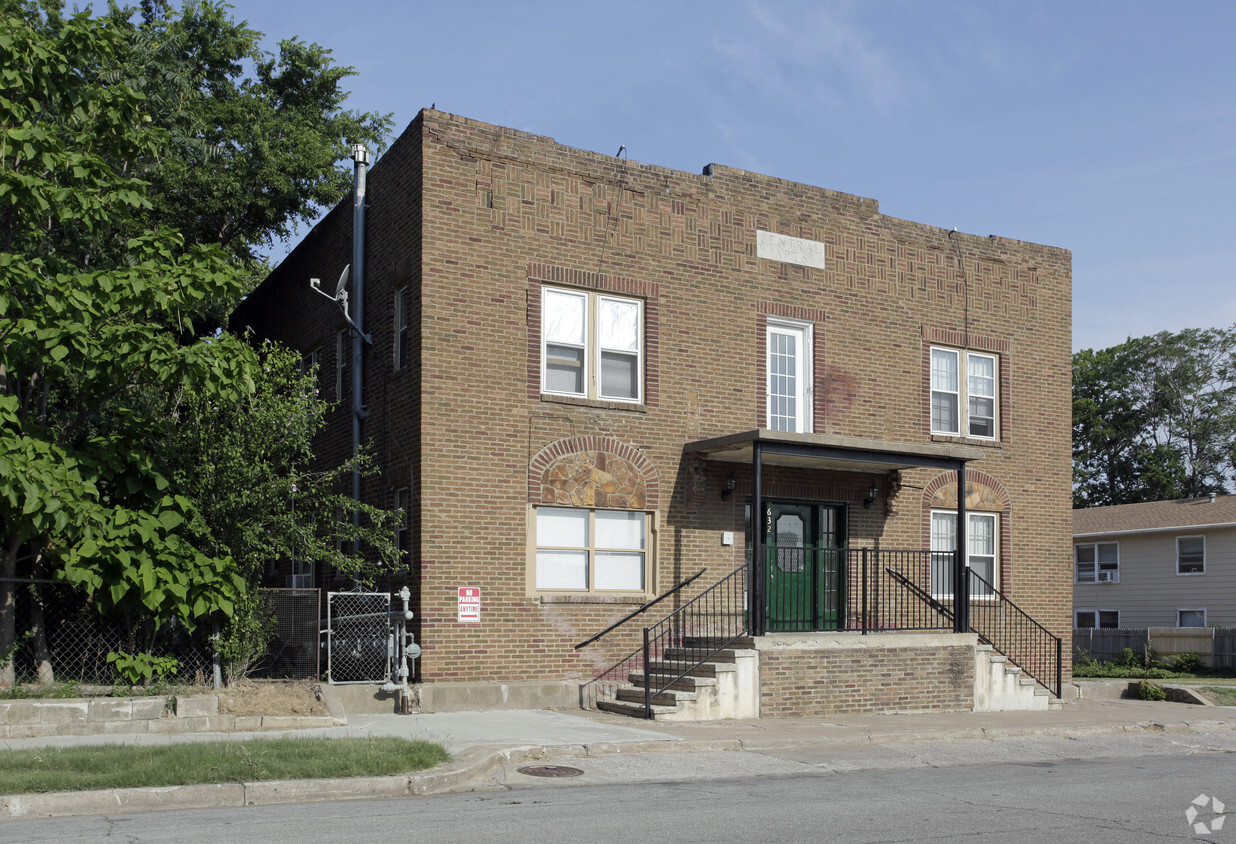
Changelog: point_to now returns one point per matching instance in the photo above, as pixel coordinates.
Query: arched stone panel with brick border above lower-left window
(594, 471)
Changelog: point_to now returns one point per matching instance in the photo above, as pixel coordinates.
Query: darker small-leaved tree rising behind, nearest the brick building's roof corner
(255, 139)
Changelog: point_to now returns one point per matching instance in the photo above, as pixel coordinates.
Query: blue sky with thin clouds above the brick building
(1101, 127)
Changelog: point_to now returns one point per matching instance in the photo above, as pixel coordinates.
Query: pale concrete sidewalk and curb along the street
(485, 741)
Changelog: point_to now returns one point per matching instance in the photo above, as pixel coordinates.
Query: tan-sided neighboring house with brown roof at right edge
(1161, 564)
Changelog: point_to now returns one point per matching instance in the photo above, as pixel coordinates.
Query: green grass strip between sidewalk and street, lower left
(125, 767)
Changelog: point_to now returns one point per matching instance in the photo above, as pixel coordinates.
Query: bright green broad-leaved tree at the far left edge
(106, 349)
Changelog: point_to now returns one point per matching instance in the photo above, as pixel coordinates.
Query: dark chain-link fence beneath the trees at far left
(61, 637)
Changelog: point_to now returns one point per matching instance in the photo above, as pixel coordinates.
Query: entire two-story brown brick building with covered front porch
(588, 373)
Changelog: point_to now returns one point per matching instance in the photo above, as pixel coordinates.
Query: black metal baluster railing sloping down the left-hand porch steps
(693, 635)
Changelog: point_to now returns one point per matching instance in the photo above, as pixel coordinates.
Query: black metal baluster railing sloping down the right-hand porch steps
(1014, 633)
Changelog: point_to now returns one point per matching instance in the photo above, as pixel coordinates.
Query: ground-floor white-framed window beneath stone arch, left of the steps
(586, 551)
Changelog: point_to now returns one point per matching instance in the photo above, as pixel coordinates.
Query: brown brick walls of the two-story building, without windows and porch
(475, 222)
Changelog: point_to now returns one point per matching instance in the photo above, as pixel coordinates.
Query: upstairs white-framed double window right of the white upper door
(963, 405)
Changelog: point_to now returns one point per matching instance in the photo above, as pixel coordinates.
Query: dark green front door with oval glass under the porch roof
(804, 568)
